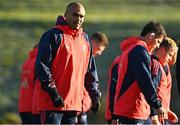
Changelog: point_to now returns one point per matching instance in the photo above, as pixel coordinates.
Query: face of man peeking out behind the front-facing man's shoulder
(98, 48)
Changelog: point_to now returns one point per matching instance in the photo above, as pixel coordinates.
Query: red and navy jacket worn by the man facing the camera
(64, 55)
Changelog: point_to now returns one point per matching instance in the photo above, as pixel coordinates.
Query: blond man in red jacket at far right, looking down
(164, 57)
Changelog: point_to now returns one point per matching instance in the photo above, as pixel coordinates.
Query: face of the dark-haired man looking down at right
(154, 43)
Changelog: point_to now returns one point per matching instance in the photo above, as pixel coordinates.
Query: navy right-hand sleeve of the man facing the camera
(92, 82)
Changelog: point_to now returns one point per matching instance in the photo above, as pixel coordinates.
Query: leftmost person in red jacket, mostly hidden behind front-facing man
(27, 88)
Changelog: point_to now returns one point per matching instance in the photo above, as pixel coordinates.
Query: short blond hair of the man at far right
(168, 44)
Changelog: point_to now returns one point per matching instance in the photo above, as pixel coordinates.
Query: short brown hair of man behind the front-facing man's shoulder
(100, 37)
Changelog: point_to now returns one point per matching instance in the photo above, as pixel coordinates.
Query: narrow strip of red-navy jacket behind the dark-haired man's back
(112, 82)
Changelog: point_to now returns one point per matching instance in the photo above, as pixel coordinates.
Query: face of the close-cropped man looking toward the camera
(75, 17)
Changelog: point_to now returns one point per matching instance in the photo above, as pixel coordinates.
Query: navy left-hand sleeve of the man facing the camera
(47, 48)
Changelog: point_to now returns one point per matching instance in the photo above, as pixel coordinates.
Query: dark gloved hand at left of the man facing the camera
(57, 101)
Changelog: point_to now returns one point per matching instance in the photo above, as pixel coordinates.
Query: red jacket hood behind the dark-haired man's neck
(131, 41)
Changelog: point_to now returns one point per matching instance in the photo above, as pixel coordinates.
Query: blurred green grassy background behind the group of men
(22, 22)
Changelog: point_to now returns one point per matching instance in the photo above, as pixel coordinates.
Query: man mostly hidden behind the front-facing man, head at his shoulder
(99, 42)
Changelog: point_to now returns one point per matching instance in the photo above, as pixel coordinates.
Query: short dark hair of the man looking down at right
(153, 27)
